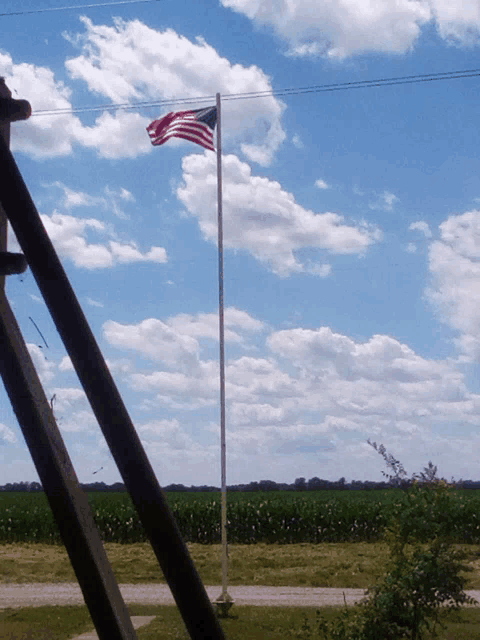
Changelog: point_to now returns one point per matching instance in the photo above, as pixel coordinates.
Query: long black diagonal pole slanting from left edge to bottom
(107, 404)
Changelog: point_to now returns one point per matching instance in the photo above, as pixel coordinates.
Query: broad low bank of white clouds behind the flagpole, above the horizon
(313, 390)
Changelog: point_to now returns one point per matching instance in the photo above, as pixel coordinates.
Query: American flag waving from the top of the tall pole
(196, 126)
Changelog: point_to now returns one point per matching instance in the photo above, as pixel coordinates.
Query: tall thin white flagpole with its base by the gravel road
(224, 601)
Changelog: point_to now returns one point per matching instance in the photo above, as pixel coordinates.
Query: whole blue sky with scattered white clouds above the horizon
(351, 231)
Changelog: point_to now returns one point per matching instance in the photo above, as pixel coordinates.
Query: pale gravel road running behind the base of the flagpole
(38, 594)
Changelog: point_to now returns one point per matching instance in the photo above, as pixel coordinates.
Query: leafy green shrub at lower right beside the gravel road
(423, 582)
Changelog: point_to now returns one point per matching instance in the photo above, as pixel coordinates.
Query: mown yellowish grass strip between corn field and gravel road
(342, 564)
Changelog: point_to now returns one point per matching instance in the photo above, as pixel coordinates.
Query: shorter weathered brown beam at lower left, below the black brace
(66, 498)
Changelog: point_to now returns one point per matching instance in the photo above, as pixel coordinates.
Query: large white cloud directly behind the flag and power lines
(131, 62)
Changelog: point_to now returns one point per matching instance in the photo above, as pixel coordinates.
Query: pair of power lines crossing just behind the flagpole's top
(358, 84)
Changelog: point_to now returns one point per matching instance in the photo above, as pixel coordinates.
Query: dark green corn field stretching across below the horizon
(280, 517)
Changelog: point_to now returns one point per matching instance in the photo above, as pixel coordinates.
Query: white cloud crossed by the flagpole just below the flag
(264, 219)
